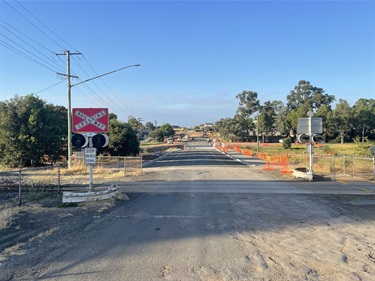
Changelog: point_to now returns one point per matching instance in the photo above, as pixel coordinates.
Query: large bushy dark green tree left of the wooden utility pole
(31, 129)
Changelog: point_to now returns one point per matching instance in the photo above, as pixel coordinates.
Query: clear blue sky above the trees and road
(194, 56)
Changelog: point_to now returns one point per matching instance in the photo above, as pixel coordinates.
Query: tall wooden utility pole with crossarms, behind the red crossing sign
(68, 76)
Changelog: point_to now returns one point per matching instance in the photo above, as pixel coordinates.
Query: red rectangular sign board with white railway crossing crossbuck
(90, 120)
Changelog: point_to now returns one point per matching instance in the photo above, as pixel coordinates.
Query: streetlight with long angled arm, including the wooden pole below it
(70, 106)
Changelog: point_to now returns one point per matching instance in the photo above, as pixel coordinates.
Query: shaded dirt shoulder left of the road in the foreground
(42, 229)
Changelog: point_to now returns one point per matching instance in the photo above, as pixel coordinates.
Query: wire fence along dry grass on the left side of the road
(57, 178)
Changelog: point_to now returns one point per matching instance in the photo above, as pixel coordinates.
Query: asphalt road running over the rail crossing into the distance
(198, 214)
